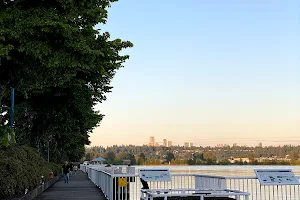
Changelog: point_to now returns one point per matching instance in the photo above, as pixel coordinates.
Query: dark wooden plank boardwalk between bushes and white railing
(79, 187)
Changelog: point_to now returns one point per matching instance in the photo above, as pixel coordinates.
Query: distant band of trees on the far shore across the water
(180, 155)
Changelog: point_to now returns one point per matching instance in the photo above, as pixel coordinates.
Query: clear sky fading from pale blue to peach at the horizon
(208, 72)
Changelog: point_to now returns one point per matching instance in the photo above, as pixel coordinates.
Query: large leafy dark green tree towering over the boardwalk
(60, 67)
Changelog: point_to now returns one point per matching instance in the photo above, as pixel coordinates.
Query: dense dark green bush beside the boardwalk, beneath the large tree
(21, 167)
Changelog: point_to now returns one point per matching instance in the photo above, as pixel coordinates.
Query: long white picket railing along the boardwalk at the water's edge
(108, 179)
